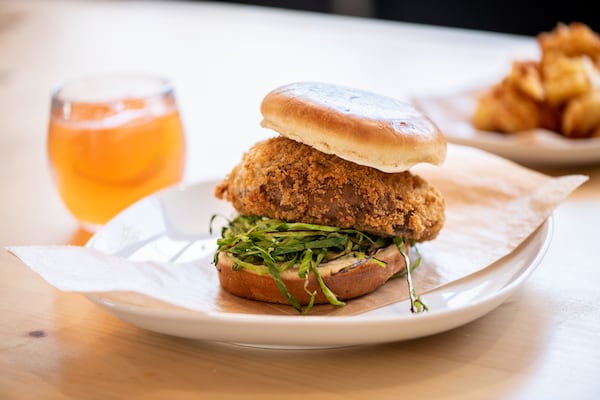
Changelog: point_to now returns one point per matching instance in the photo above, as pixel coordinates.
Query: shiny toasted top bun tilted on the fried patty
(358, 126)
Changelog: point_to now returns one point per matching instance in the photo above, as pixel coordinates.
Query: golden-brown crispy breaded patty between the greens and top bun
(283, 179)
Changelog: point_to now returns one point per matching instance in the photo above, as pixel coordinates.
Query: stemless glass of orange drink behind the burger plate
(111, 141)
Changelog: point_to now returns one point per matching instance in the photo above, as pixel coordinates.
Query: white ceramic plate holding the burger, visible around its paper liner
(161, 224)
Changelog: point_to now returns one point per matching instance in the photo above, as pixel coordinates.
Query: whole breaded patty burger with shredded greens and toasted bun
(328, 210)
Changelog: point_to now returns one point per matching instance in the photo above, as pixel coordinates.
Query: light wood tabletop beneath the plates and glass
(542, 343)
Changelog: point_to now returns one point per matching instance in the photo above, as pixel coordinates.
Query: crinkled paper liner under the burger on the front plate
(492, 206)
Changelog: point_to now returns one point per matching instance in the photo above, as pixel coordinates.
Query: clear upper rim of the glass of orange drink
(152, 86)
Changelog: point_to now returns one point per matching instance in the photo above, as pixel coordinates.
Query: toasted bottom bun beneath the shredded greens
(347, 279)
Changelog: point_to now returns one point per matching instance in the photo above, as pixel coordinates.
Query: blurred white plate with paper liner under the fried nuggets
(537, 147)
